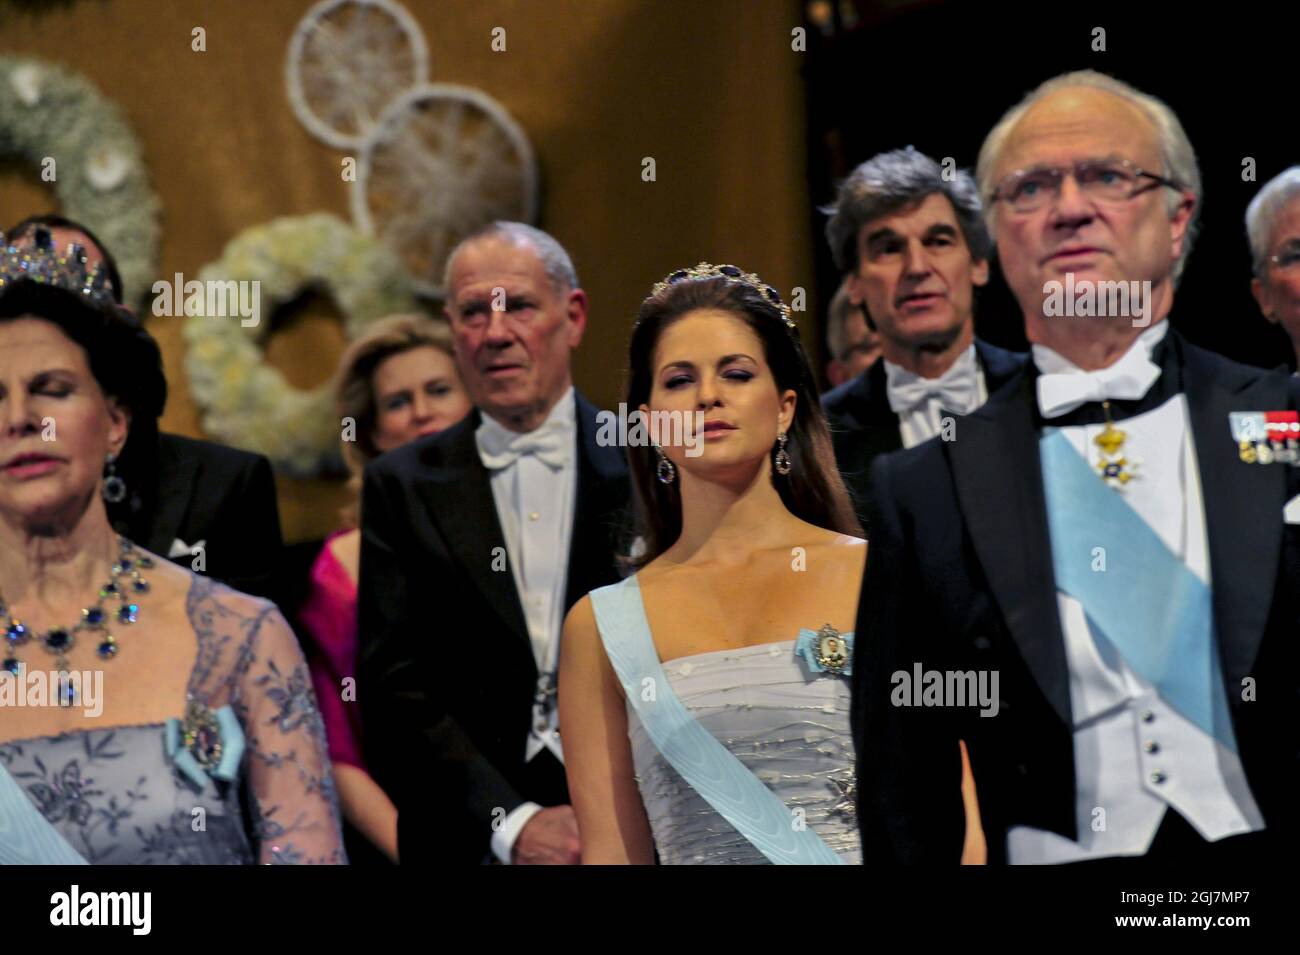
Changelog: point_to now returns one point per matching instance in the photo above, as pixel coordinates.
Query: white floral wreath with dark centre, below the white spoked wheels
(246, 402)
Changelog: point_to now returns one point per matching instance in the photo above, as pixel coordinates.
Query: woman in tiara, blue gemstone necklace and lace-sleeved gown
(151, 715)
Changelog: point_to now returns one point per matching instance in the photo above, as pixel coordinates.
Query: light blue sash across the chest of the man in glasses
(1146, 602)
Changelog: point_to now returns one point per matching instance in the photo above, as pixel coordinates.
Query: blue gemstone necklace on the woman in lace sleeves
(123, 588)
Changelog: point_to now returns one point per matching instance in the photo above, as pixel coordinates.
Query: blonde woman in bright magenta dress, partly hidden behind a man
(398, 383)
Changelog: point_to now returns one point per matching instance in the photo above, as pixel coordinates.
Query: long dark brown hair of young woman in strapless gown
(813, 492)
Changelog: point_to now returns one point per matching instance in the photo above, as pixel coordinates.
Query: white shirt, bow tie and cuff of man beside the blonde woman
(535, 505)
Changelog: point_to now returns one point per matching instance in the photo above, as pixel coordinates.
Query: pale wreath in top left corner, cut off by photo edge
(49, 112)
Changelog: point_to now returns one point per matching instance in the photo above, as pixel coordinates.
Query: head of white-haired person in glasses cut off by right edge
(1273, 229)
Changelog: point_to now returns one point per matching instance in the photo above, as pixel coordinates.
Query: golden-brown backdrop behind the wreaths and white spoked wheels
(597, 85)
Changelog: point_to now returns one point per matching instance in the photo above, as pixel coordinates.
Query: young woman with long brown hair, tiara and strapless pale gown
(705, 698)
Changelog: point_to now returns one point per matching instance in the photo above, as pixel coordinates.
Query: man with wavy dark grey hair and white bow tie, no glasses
(913, 246)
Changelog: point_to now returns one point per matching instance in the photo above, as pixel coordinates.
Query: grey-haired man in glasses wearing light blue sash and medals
(1097, 536)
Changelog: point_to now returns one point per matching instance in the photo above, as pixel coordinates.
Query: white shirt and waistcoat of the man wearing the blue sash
(1134, 756)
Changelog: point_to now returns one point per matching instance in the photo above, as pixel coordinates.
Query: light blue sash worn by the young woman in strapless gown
(707, 766)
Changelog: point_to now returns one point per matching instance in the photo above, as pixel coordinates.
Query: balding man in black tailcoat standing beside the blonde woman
(476, 542)
